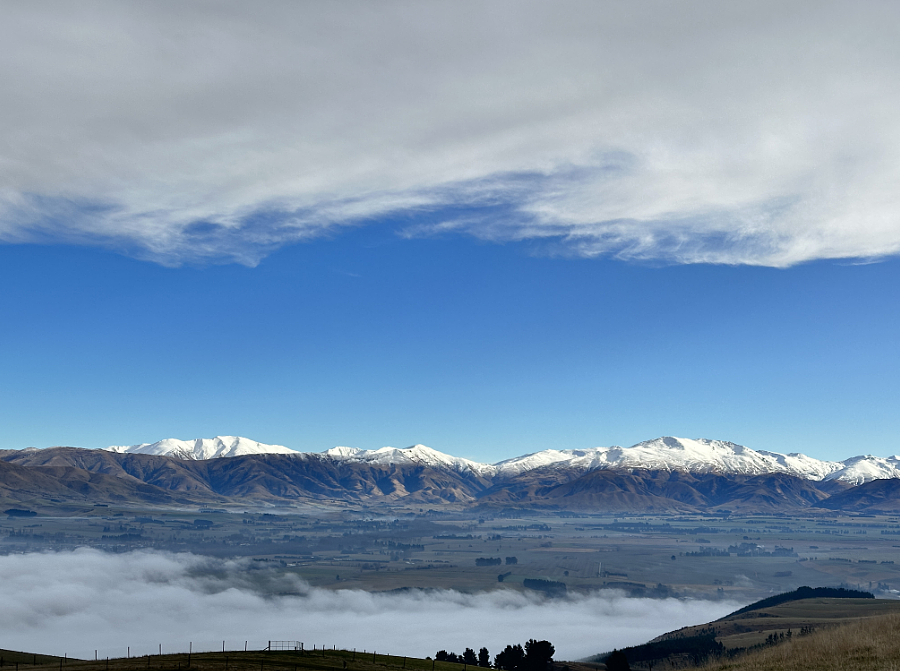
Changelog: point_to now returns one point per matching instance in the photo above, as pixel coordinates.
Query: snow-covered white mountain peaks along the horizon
(667, 453)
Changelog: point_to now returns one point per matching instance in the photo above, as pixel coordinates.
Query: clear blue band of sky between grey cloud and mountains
(482, 350)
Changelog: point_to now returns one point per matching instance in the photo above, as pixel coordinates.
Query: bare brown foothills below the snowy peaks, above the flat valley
(78, 474)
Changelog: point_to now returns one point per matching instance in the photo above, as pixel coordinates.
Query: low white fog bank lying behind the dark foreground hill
(86, 600)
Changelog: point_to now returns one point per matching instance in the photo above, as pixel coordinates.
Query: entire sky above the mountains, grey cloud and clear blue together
(492, 228)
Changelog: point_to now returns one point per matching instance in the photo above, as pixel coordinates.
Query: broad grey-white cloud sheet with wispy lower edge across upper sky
(699, 132)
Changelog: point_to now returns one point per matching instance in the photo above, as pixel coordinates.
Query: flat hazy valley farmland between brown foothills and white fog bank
(738, 558)
